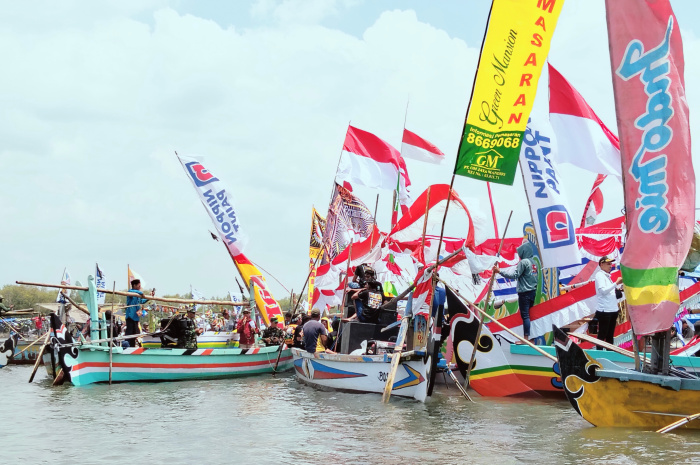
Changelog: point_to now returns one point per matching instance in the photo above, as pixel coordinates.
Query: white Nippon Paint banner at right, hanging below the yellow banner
(556, 234)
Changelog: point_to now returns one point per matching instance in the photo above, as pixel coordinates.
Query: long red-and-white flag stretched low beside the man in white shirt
(561, 311)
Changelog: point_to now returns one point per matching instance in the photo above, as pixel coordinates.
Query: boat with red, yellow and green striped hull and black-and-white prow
(505, 369)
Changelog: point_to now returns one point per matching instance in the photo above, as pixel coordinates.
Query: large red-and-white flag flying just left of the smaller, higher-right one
(369, 161)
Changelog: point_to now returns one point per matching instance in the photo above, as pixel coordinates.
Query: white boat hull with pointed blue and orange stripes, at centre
(362, 373)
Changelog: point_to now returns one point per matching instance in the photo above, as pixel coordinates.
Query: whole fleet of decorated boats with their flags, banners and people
(500, 321)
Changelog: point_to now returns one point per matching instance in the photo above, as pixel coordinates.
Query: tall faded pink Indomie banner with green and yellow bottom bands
(646, 54)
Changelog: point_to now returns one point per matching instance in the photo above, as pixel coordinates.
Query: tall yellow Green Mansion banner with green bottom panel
(514, 50)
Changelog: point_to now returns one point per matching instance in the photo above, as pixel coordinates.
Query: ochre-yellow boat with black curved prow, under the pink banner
(607, 395)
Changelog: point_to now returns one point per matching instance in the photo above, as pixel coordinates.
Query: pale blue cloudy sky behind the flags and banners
(98, 96)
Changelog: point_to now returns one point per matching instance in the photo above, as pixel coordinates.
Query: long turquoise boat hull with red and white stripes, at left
(92, 364)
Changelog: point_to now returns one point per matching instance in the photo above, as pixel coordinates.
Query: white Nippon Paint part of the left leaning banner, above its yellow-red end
(217, 201)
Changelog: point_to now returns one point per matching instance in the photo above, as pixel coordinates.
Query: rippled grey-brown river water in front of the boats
(263, 420)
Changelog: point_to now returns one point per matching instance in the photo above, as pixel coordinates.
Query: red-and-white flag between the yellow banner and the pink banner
(583, 139)
